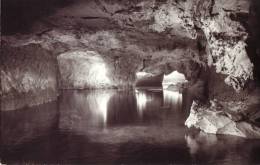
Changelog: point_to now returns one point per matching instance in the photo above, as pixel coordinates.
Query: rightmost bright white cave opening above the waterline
(173, 79)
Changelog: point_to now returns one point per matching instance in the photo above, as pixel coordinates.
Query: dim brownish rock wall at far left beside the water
(28, 76)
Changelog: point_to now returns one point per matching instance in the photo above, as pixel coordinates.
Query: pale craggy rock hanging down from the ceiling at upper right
(226, 37)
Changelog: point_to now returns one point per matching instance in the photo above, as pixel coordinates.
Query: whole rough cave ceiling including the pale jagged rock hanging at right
(158, 32)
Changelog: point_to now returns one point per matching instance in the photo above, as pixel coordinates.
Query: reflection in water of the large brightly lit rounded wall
(81, 109)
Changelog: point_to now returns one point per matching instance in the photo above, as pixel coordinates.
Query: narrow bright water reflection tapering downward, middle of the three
(142, 99)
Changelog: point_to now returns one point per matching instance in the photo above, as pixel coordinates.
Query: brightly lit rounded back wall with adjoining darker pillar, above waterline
(91, 70)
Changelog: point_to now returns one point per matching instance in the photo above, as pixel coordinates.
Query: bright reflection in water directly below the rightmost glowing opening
(172, 97)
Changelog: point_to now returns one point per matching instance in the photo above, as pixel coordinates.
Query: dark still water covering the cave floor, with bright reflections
(116, 127)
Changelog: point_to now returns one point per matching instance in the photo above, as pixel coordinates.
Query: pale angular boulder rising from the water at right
(216, 121)
